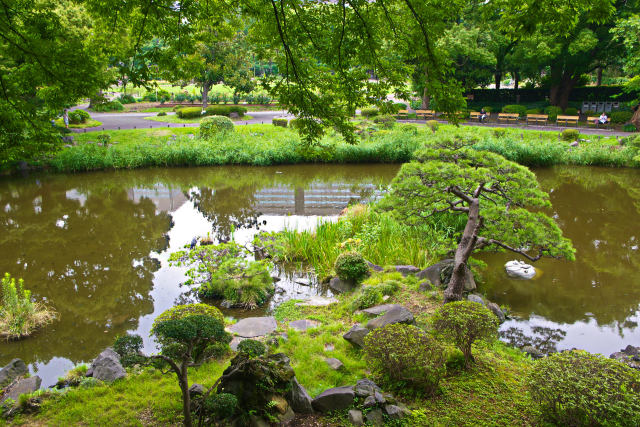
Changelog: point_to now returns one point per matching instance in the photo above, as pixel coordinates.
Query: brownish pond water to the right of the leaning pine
(595, 300)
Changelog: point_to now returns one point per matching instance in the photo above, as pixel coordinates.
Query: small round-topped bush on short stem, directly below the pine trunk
(463, 323)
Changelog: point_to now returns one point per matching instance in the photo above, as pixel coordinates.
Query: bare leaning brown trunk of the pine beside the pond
(465, 248)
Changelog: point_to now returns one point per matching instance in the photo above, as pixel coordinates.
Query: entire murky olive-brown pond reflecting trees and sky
(96, 245)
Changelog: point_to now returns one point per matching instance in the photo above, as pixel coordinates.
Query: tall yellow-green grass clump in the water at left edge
(19, 316)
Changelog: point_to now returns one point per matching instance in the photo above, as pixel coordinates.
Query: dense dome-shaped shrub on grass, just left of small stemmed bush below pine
(405, 355)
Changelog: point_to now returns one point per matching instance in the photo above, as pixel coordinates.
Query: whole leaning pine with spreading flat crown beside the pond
(492, 192)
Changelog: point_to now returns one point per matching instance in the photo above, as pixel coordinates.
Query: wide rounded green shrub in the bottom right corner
(575, 388)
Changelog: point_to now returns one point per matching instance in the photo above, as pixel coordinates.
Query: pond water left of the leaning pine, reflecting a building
(95, 246)
